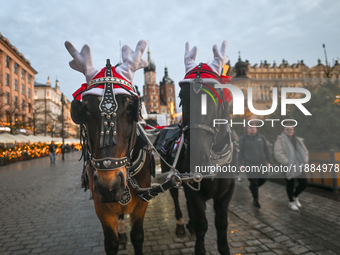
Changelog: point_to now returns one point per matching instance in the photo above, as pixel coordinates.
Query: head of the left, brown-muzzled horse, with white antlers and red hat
(108, 107)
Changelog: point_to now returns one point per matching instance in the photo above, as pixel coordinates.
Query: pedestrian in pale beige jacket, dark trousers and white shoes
(290, 150)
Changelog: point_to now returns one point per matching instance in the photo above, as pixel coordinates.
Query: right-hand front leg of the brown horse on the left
(137, 231)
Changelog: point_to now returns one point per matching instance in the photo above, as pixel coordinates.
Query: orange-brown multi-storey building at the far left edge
(16, 90)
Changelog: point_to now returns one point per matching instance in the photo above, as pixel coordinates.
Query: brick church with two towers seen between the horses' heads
(159, 99)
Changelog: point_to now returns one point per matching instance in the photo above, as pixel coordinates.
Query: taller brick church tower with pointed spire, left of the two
(150, 88)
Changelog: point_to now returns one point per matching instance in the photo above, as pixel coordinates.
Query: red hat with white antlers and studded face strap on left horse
(109, 82)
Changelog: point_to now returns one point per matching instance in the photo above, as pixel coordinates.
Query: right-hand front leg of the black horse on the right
(221, 220)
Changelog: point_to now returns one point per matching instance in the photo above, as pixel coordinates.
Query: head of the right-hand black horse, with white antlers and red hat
(198, 94)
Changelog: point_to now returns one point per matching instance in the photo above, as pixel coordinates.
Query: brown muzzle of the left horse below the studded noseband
(109, 186)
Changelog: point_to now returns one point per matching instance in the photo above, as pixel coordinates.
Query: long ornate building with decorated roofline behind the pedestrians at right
(263, 77)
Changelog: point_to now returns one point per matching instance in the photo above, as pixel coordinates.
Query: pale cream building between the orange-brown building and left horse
(48, 111)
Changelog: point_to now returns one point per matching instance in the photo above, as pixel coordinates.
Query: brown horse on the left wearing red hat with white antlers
(108, 113)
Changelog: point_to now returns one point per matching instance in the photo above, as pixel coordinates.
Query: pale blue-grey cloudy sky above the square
(260, 30)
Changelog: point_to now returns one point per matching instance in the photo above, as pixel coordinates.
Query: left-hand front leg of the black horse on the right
(198, 220)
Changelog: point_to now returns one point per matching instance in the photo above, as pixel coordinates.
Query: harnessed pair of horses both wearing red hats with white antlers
(118, 155)
